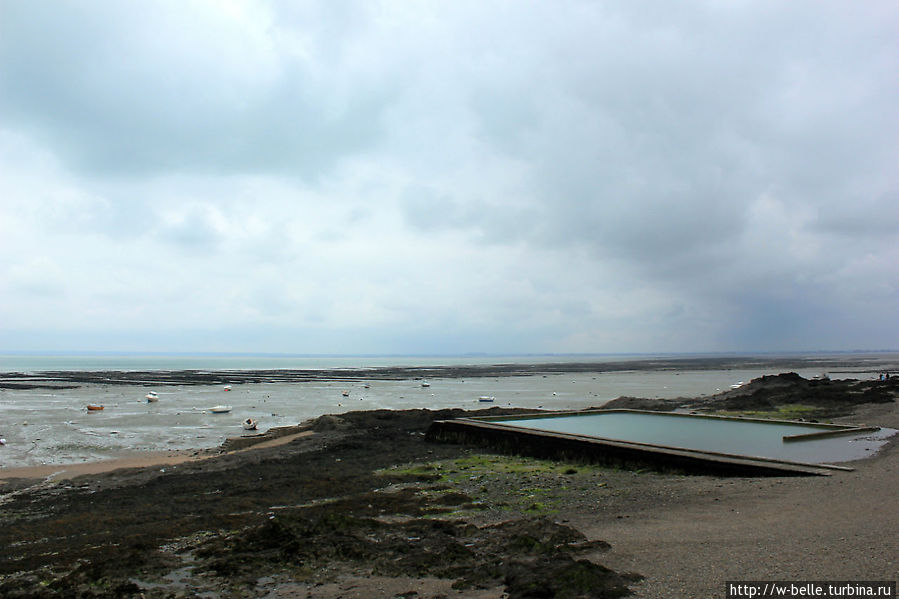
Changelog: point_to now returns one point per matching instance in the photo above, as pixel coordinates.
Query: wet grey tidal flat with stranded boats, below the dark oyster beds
(60, 431)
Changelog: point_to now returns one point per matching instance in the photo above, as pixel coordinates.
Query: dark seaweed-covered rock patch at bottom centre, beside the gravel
(532, 557)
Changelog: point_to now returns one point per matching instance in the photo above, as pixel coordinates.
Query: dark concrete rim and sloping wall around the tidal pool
(487, 431)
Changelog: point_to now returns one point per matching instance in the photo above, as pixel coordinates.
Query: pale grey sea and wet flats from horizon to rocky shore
(53, 427)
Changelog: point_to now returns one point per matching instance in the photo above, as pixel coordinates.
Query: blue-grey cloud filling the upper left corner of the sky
(88, 79)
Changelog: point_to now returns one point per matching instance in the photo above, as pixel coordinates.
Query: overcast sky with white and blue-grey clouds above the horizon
(444, 177)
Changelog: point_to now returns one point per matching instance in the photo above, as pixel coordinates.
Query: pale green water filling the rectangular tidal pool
(804, 443)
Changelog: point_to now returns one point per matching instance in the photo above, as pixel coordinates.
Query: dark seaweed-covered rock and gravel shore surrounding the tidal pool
(361, 505)
